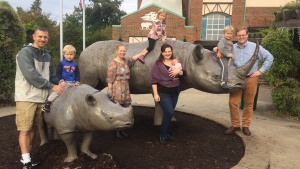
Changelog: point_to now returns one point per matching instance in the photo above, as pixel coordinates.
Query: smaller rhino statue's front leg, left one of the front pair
(70, 143)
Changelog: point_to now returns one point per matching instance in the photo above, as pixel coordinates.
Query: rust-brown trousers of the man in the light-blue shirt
(235, 99)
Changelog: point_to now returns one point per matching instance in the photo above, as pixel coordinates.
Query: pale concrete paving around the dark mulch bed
(274, 143)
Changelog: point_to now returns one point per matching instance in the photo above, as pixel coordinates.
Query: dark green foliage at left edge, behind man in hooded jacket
(11, 40)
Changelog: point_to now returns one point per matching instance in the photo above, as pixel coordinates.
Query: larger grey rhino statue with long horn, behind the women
(202, 71)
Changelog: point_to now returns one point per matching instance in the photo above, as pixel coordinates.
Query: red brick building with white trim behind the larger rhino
(197, 21)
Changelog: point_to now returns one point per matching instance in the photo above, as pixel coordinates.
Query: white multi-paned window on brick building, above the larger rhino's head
(213, 25)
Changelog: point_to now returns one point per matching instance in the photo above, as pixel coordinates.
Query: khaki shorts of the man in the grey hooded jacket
(28, 114)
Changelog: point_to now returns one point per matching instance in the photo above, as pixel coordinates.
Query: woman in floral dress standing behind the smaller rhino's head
(118, 74)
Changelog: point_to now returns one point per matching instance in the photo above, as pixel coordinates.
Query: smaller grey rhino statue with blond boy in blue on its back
(85, 109)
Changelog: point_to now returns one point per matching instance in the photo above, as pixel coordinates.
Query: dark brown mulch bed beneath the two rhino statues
(199, 143)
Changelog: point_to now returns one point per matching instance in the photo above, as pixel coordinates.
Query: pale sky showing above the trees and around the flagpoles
(53, 6)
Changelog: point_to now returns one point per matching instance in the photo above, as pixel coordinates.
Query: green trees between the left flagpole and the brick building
(100, 15)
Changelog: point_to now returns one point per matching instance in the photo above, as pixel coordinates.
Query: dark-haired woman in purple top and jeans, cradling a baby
(165, 86)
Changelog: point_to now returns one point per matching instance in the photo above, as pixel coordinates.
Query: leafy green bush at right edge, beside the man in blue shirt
(284, 73)
